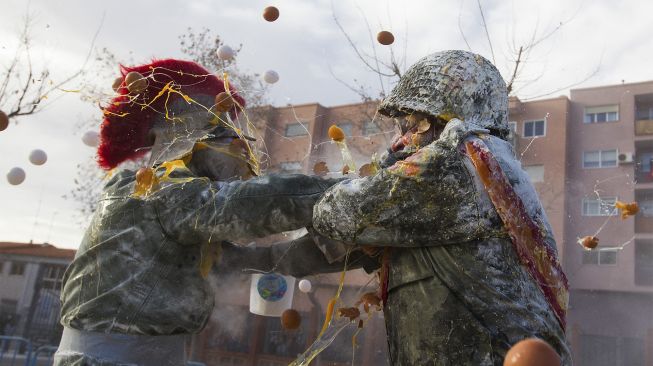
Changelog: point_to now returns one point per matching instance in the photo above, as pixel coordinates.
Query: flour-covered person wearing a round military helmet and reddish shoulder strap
(470, 257)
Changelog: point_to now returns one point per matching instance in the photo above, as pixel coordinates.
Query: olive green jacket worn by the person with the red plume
(137, 269)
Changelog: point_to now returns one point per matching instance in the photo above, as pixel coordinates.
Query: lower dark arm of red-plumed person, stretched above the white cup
(298, 258)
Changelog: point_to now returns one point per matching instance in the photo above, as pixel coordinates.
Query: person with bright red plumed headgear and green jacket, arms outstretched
(137, 284)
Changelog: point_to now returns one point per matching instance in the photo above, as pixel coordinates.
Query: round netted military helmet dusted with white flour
(452, 84)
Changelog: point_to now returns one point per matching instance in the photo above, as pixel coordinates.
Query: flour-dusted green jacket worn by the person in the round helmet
(455, 281)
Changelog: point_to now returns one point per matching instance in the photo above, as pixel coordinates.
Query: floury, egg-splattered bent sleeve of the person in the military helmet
(428, 199)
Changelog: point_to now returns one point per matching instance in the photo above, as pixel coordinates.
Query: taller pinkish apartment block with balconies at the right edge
(609, 150)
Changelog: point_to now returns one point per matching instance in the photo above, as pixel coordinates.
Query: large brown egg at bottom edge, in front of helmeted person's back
(531, 352)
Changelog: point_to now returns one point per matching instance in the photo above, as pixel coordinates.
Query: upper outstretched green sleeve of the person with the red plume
(199, 211)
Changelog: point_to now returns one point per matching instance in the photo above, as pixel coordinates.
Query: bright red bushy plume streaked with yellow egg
(128, 119)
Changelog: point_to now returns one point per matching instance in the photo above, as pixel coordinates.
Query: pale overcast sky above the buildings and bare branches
(305, 47)
